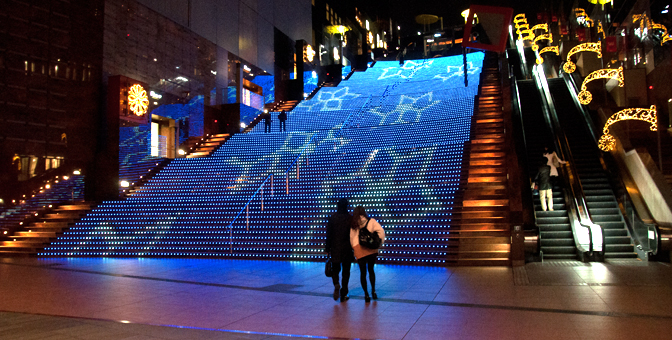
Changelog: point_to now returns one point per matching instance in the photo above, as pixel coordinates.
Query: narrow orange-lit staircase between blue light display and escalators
(484, 236)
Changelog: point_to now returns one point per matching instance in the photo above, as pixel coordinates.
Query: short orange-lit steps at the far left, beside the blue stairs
(44, 229)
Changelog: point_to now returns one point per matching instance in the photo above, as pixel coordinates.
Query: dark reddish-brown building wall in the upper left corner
(50, 71)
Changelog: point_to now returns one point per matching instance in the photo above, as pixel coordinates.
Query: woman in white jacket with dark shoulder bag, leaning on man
(365, 257)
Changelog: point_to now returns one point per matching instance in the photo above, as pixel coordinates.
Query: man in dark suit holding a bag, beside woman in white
(338, 246)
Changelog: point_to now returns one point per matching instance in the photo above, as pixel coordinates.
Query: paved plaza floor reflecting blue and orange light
(230, 299)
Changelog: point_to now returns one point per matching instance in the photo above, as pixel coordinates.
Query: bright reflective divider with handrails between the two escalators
(589, 237)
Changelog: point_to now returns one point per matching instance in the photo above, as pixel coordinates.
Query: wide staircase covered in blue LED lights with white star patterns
(390, 138)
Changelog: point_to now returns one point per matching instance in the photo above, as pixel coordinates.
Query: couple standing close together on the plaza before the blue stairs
(343, 246)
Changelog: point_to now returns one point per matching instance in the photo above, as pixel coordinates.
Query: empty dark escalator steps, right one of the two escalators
(599, 195)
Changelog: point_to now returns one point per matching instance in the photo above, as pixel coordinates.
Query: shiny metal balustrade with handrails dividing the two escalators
(577, 197)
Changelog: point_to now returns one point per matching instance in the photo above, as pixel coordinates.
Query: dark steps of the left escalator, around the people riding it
(555, 231)
